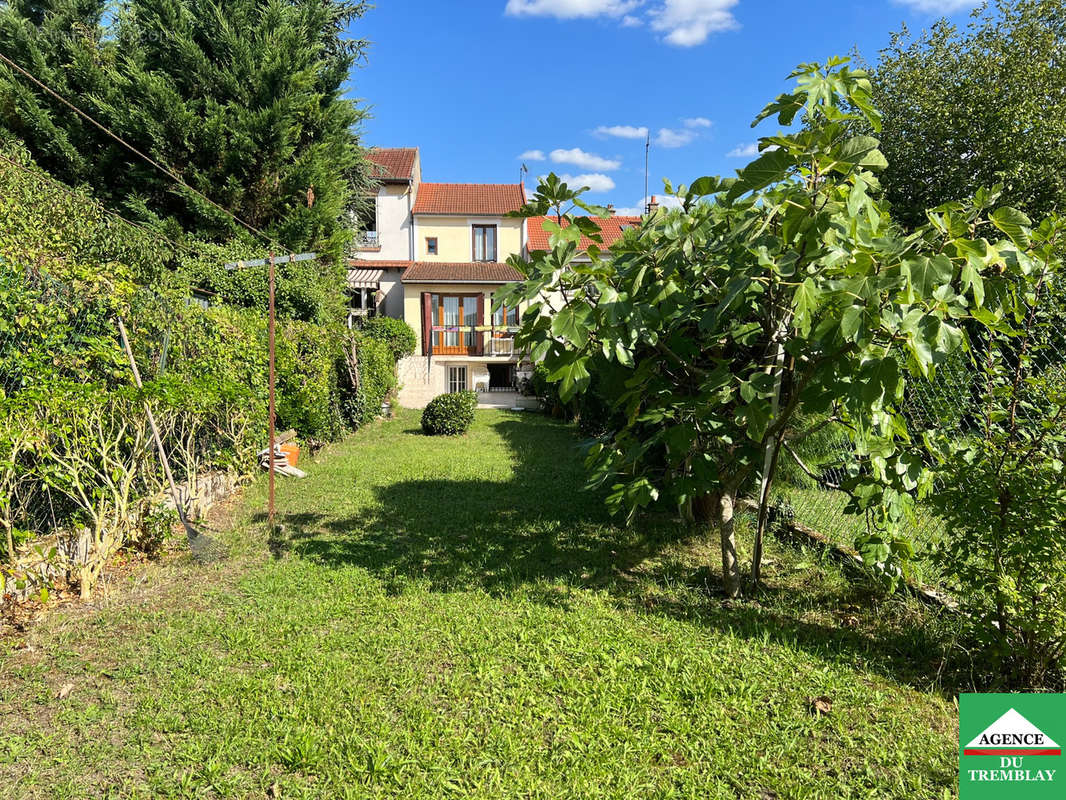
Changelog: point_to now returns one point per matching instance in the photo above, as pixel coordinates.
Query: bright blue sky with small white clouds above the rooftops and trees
(483, 86)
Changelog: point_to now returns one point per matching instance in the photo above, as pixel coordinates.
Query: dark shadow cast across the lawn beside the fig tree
(541, 527)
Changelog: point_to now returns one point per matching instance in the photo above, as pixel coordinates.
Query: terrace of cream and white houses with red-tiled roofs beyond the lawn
(435, 255)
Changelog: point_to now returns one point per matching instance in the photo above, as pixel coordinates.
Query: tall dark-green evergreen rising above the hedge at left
(243, 100)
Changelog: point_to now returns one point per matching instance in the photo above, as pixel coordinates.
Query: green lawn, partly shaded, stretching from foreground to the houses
(457, 618)
